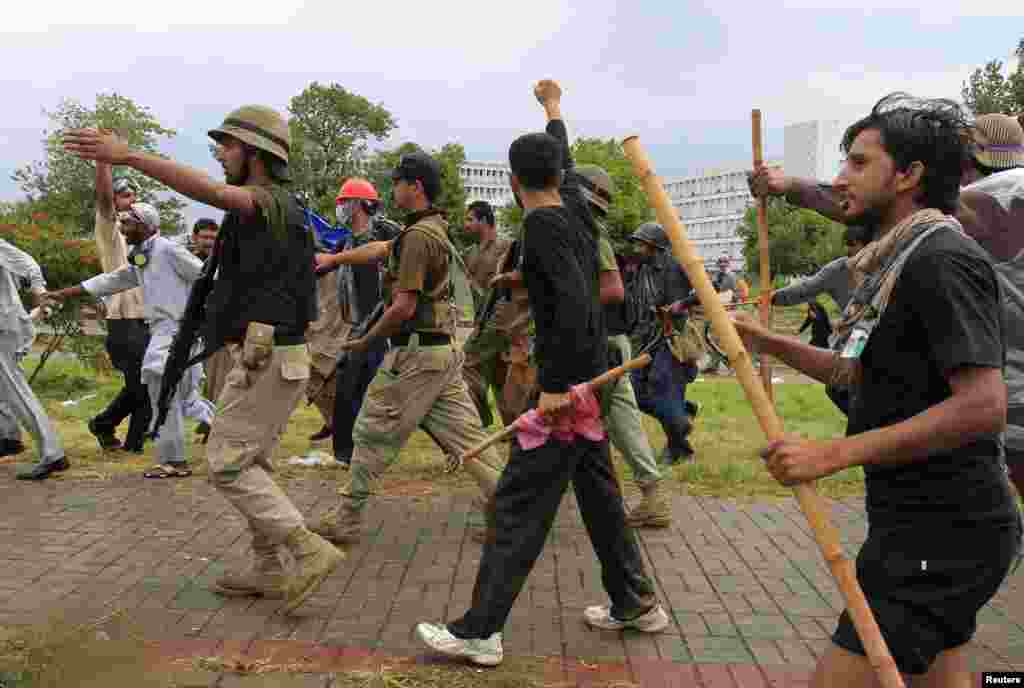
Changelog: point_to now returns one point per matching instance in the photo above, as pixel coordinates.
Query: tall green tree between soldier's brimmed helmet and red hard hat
(330, 130)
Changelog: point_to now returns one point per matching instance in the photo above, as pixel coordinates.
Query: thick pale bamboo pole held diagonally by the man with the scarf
(825, 533)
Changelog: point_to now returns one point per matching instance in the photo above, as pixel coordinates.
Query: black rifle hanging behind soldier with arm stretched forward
(181, 358)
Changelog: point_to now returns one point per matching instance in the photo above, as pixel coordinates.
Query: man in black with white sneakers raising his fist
(561, 271)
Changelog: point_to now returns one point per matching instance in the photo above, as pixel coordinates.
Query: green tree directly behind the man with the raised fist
(629, 208)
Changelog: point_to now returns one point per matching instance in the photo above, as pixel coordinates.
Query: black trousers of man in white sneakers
(529, 495)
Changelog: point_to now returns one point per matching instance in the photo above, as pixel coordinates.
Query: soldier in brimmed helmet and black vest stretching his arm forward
(263, 302)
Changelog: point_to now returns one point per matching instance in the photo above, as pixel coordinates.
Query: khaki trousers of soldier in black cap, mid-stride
(416, 386)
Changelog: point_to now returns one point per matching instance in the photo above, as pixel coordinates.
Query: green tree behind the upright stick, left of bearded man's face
(800, 240)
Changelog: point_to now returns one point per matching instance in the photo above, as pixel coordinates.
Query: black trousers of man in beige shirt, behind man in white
(126, 342)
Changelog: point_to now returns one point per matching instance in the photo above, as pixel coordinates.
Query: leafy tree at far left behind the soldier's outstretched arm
(63, 187)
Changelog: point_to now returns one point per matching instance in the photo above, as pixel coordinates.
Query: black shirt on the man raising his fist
(560, 268)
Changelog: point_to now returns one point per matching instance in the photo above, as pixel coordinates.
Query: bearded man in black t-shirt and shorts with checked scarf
(920, 349)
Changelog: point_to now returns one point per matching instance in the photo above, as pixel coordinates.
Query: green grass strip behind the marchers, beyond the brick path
(727, 438)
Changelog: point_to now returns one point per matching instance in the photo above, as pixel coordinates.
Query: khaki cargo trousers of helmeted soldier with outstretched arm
(253, 411)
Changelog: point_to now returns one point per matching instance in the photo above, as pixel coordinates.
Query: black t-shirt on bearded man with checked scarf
(944, 315)
